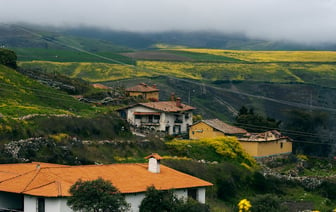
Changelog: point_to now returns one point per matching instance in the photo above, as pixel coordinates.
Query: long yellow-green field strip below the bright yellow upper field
(316, 73)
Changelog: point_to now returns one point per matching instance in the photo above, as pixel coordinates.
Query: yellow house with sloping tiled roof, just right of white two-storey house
(212, 128)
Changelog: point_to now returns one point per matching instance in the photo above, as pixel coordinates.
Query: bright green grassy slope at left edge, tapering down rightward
(22, 96)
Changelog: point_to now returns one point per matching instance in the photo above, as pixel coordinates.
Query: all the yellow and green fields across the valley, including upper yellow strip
(316, 68)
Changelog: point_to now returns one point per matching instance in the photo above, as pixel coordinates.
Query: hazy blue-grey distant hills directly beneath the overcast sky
(24, 36)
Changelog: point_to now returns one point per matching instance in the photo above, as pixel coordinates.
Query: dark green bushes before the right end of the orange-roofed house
(166, 201)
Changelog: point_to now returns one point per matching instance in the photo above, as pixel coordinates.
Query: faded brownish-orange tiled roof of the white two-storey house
(167, 106)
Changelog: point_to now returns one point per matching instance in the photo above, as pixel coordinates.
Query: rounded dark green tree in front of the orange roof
(96, 195)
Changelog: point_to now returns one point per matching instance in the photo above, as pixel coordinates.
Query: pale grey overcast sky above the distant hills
(307, 21)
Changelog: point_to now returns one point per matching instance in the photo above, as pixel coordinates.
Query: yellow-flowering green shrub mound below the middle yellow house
(213, 149)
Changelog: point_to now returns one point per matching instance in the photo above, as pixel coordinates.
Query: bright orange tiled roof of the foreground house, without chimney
(52, 180)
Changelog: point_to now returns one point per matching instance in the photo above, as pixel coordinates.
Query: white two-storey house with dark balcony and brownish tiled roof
(173, 117)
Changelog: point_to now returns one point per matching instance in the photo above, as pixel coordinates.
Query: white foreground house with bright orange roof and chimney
(45, 187)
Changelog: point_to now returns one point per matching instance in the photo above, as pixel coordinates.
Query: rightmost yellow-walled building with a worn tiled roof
(270, 143)
